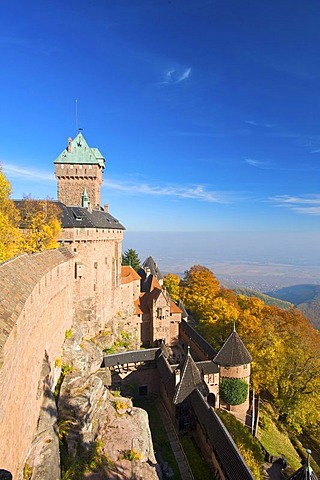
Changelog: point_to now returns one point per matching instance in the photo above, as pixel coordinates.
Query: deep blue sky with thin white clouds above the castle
(208, 112)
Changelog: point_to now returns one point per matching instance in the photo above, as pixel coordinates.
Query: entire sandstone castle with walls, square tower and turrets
(43, 295)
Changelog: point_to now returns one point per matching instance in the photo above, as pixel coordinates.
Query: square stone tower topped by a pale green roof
(79, 171)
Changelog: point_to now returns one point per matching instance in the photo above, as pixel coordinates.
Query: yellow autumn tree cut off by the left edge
(10, 235)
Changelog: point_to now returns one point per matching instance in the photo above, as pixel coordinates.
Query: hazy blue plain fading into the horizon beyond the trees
(262, 260)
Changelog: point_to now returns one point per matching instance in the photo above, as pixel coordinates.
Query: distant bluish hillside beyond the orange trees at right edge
(305, 297)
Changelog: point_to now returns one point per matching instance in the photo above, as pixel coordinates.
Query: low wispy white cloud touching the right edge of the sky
(308, 204)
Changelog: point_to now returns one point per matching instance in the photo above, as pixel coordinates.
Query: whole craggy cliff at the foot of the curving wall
(93, 432)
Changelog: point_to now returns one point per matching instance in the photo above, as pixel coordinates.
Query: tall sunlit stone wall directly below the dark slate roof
(97, 276)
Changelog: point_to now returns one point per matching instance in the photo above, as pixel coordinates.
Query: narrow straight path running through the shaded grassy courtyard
(176, 446)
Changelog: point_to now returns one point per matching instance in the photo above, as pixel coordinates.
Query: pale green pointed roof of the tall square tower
(79, 152)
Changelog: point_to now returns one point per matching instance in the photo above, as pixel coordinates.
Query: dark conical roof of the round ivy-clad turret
(233, 352)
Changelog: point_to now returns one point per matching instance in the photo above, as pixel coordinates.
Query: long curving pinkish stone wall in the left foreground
(36, 309)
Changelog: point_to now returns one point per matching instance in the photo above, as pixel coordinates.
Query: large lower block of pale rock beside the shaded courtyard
(122, 431)
